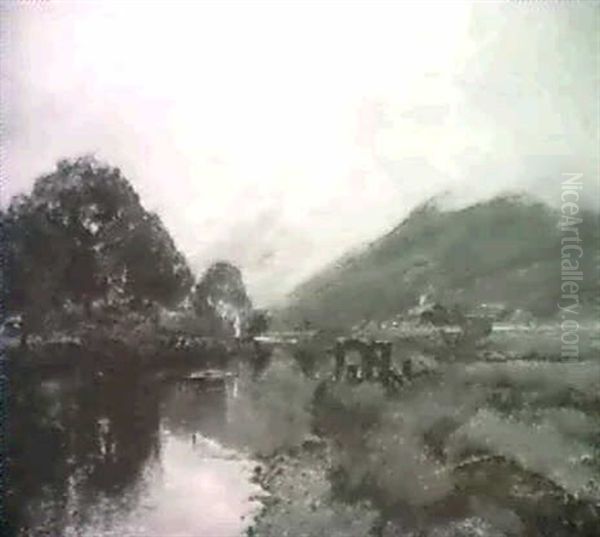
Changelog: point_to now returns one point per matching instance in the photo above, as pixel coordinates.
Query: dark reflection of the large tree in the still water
(90, 441)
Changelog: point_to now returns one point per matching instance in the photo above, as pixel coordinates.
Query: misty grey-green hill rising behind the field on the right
(505, 250)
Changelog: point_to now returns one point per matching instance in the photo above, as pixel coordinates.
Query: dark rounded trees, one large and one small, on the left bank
(82, 240)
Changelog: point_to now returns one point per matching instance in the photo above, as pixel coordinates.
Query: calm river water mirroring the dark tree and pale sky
(123, 457)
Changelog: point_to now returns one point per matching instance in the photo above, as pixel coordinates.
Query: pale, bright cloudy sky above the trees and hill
(280, 135)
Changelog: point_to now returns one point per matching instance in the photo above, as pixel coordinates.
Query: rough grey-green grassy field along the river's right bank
(506, 442)
